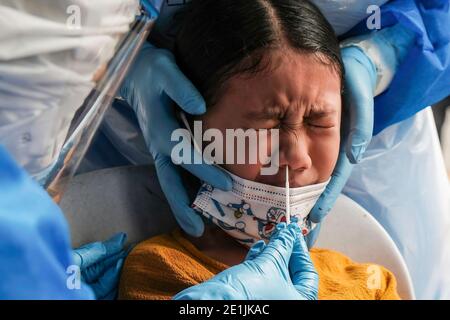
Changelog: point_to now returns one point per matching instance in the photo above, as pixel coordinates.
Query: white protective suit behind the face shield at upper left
(49, 53)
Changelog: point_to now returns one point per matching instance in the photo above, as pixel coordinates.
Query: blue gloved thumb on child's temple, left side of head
(176, 85)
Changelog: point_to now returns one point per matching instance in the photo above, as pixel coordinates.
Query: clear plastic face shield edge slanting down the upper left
(89, 116)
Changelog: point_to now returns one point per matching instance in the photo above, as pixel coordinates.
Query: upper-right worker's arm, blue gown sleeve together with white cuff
(411, 52)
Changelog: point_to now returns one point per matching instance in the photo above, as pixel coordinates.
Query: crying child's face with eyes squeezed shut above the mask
(302, 97)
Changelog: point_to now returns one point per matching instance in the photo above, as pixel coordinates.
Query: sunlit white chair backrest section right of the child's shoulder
(351, 230)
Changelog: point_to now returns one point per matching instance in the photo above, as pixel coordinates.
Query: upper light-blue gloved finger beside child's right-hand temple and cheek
(360, 81)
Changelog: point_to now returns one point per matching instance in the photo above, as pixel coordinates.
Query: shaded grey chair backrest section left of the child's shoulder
(129, 199)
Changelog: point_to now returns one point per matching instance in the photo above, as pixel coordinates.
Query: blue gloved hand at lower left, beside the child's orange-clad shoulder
(100, 264)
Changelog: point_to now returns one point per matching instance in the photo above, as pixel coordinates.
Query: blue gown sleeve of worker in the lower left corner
(35, 249)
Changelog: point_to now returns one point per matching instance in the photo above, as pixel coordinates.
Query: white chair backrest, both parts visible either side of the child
(129, 199)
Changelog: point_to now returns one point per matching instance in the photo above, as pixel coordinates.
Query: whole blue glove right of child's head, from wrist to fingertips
(392, 45)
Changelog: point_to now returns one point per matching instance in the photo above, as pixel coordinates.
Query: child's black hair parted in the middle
(218, 39)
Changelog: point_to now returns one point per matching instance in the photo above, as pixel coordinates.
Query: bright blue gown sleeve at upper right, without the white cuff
(423, 76)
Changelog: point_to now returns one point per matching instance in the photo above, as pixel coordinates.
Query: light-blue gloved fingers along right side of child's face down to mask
(360, 81)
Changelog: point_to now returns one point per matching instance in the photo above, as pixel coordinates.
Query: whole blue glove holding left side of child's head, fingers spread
(150, 87)
